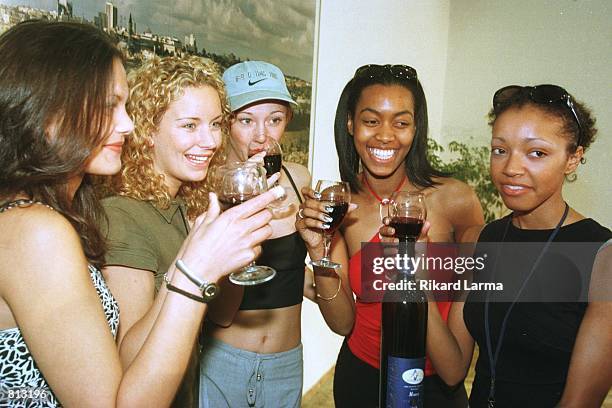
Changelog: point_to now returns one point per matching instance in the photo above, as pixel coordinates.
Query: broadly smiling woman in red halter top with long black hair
(381, 139)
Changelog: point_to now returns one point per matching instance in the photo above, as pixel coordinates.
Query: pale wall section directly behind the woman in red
(351, 34)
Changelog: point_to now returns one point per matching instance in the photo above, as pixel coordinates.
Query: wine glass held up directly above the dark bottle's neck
(407, 212)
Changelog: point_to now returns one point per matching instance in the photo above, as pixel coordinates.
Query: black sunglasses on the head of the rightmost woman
(542, 94)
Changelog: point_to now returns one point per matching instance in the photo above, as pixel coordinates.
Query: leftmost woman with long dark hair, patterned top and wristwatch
(63, 91)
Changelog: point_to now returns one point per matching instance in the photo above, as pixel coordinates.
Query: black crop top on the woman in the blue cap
(286, 255)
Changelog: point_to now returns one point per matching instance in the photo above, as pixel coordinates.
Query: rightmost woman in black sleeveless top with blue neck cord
(550, 353)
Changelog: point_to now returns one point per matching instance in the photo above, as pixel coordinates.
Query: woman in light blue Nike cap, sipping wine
(252, 352)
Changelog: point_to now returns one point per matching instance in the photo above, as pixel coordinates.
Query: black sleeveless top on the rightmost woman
(539, 338)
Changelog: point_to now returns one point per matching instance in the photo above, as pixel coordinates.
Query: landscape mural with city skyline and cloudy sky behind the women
(226, 31)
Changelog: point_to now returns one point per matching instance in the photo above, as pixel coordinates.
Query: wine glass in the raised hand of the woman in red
(337, 195)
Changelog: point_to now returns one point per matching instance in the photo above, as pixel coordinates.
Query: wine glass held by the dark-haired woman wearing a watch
(239, 183)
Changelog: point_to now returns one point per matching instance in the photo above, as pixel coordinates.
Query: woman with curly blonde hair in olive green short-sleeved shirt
(179, 112)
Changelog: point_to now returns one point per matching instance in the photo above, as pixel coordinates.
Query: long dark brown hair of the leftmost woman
(55, 79)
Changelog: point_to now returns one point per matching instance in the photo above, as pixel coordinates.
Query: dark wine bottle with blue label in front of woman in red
(402, 351)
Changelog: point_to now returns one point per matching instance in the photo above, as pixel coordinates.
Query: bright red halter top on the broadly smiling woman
(364, 340)
